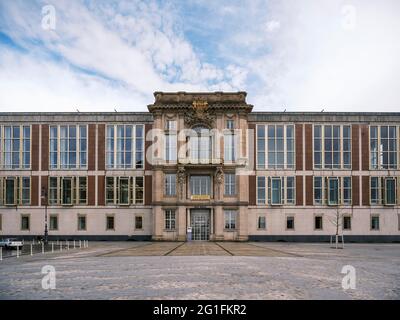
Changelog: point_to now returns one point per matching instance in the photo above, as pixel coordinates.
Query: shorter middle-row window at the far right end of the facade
(383, 190)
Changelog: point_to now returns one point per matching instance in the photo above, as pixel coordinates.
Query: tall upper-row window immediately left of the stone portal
(124, 147)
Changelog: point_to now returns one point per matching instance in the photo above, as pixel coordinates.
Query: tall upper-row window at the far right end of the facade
(383, 147)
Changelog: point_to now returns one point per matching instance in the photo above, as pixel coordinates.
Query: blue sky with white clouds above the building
(101, 55)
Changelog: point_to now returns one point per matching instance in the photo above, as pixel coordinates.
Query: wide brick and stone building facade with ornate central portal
(203, 164)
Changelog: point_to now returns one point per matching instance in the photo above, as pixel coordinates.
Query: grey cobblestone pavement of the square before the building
(113, 270)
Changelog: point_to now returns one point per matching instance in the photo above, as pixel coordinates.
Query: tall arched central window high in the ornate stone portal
(200, 145)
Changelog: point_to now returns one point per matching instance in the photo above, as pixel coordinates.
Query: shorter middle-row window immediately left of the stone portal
(124, 190)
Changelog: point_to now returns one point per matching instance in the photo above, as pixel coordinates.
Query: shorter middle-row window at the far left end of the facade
(15, 191)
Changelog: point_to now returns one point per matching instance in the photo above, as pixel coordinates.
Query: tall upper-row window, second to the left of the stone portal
(68, 147)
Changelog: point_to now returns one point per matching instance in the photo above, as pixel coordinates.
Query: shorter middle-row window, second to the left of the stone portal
(67, 191)
